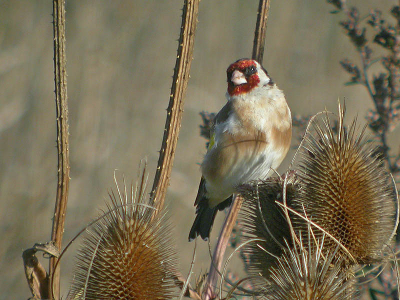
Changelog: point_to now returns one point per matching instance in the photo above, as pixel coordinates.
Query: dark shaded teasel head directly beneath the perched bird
(263, 220)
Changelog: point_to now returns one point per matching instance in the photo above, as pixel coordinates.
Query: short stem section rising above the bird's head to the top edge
(261, 27)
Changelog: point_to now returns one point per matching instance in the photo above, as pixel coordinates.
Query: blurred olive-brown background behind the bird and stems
(120, 59)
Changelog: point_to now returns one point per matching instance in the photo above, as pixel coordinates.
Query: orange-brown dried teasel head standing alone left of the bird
(127, 254)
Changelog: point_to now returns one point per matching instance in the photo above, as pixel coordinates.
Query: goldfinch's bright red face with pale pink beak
(242, 77)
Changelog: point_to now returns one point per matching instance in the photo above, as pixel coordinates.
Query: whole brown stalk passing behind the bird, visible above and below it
(230, 220)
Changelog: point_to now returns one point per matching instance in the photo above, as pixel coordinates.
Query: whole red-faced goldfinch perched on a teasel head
(249, 138)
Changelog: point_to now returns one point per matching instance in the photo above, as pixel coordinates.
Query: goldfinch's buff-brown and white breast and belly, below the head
(250, 132)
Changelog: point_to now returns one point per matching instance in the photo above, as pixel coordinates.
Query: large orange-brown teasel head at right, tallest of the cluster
(346, 191)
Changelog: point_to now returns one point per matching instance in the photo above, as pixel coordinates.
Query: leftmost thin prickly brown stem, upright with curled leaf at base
(60, 78)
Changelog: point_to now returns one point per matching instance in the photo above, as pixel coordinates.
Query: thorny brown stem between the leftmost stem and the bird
(175, 107)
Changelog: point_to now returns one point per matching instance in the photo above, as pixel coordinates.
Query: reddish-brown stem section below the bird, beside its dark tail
(219, 251)
